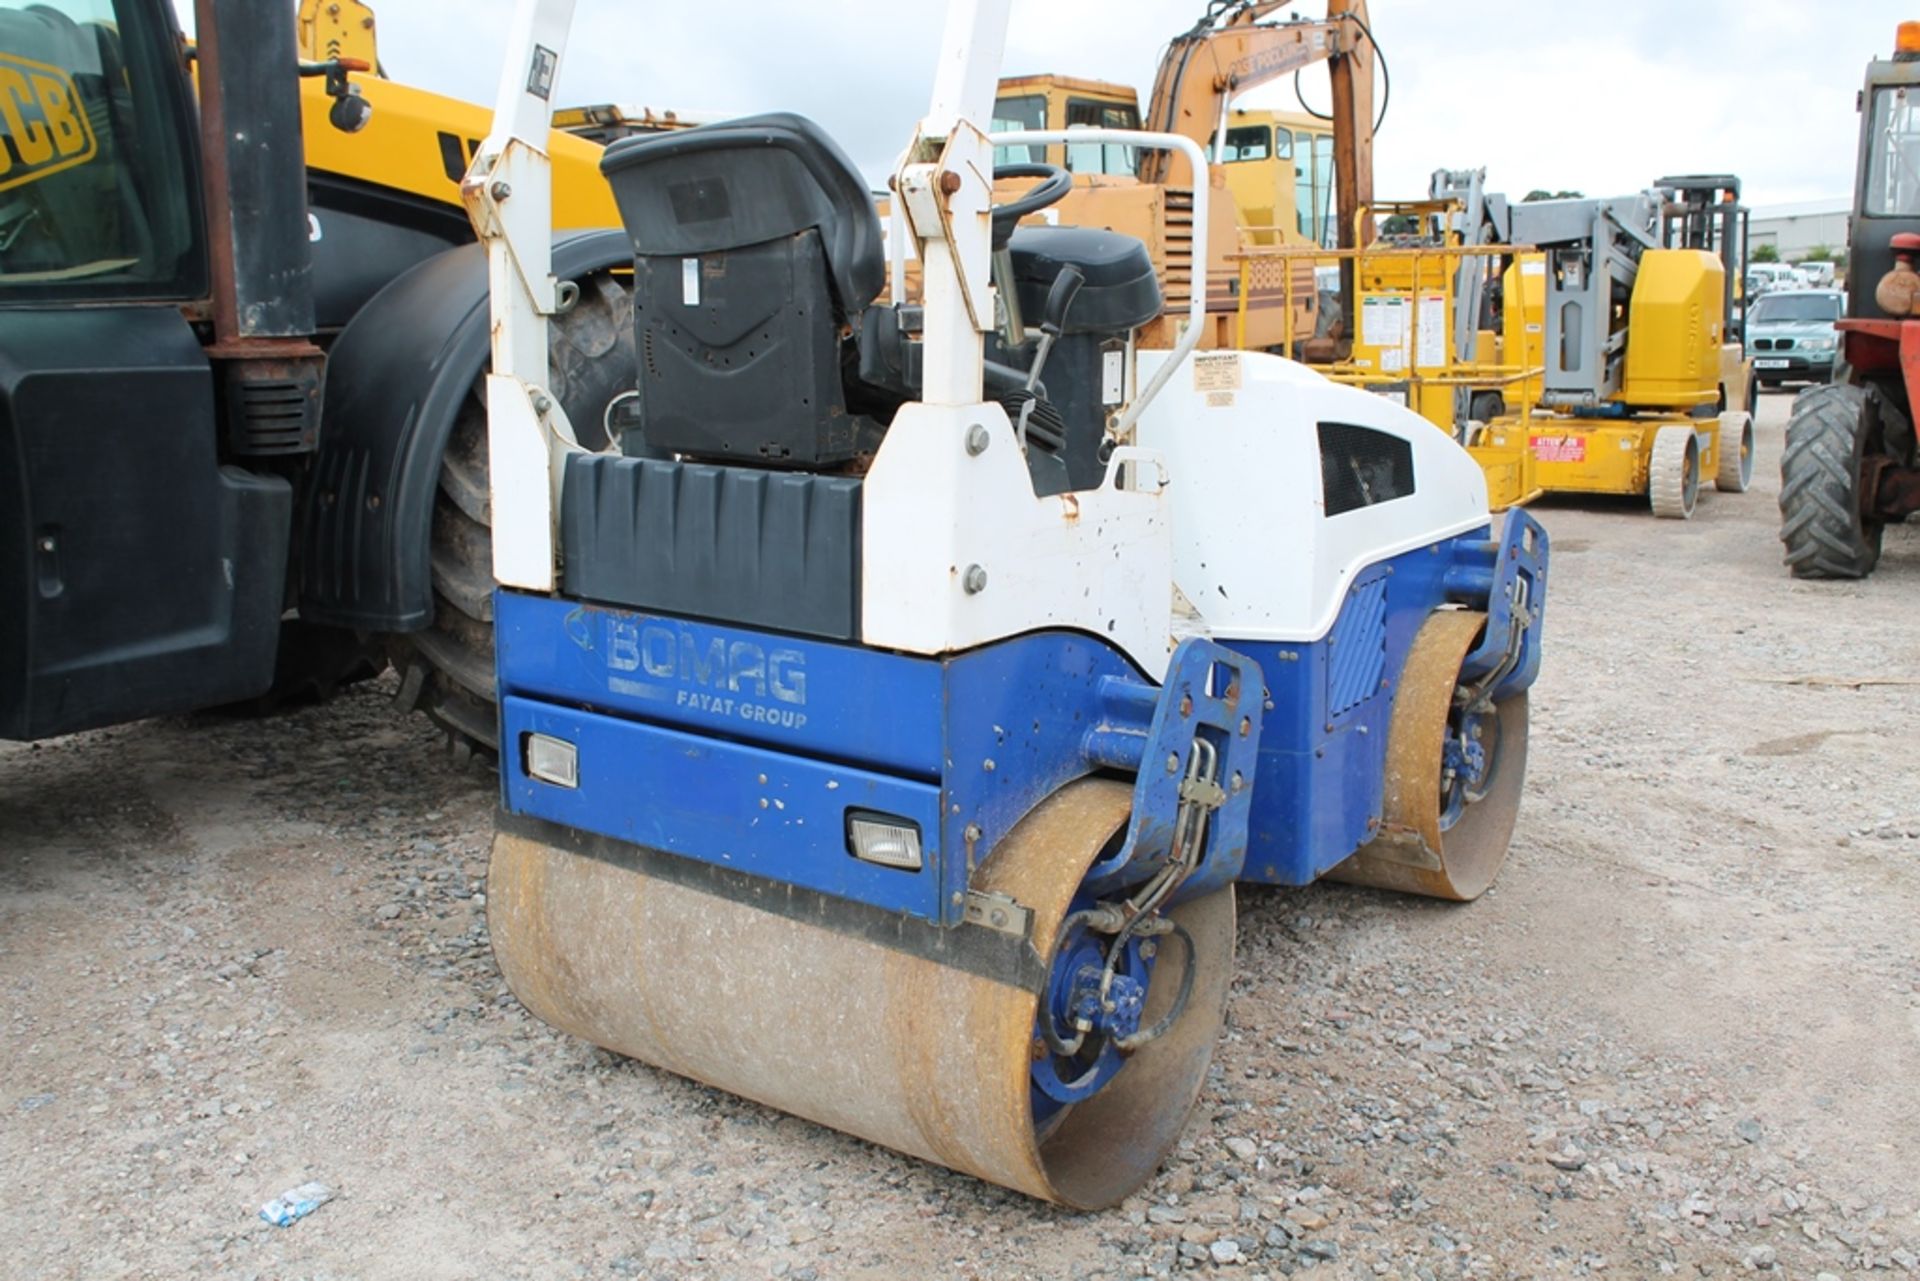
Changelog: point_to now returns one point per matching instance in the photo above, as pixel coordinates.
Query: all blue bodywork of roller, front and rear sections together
(752, 752)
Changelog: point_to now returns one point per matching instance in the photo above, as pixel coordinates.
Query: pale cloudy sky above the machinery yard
(1566, 95)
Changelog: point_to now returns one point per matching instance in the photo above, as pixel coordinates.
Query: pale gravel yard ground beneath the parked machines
(1679, 1038)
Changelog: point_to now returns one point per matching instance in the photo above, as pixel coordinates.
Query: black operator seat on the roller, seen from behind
(756, 247)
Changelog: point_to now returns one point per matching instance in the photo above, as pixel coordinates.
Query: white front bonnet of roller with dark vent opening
(1253, 544)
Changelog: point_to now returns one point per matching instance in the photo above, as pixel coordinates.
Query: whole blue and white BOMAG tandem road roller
(886, 729)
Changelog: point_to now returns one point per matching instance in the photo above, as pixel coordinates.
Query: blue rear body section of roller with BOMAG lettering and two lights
(752, 750)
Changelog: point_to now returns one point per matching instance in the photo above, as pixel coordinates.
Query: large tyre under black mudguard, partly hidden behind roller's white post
(446, 669)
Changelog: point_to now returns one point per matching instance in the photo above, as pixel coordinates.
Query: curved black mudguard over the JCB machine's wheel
(396, 381)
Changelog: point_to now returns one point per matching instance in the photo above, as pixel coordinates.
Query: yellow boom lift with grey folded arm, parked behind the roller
(1606, 368)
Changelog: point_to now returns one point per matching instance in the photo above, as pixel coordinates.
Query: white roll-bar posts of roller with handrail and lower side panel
(957, 548)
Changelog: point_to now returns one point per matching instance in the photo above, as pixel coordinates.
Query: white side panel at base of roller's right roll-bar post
(1097, 562)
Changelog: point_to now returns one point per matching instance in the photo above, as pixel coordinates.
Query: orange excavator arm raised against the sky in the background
(1236, 49)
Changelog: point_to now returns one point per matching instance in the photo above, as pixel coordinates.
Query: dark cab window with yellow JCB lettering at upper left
(97, 189)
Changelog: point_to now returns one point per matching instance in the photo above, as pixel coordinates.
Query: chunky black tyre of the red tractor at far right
(1833, 433)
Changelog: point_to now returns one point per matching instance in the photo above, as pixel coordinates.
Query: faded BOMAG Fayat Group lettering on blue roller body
(715, 675)
